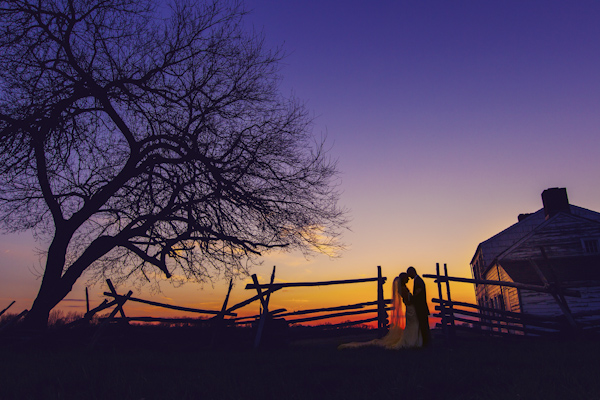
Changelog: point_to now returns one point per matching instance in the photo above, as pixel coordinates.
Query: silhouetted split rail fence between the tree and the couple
(227, 315)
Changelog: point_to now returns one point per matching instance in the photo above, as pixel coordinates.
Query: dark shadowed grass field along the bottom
(167, 367)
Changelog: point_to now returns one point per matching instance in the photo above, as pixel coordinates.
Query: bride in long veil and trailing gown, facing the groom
(398, 337)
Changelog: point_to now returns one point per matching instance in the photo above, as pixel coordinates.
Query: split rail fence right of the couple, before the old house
(460, 316)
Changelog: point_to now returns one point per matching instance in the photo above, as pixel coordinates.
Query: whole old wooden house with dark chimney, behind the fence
(556, 246)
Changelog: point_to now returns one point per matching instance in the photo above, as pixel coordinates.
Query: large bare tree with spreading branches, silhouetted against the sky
(137, 137)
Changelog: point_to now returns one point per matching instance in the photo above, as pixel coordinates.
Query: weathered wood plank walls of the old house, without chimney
(563, 237)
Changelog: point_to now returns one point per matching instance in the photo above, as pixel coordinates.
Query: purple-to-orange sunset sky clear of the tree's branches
(448, 119)
